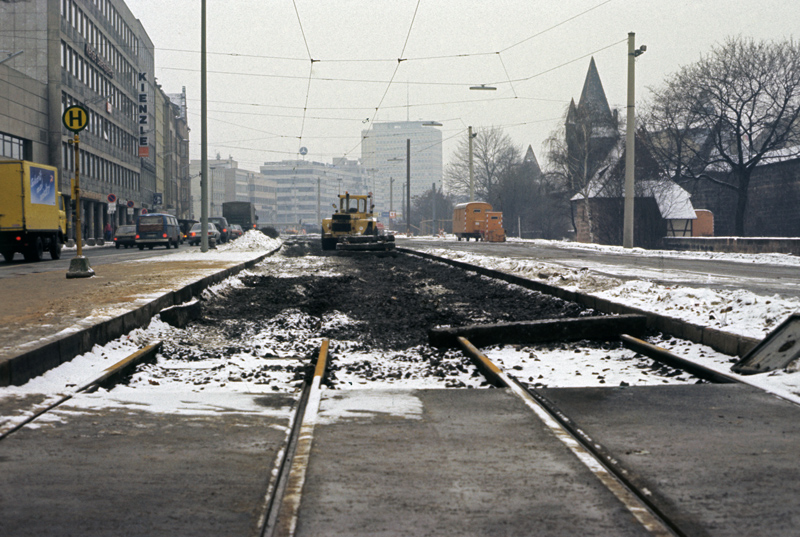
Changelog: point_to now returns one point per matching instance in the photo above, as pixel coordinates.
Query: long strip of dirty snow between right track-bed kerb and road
(738, 312)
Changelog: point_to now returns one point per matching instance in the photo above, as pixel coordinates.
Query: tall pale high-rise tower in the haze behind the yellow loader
(384, 151)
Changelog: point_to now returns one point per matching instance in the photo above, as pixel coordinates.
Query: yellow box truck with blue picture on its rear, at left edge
(32, 217)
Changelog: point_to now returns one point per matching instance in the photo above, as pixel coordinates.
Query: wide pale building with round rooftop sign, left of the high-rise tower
(306, 190)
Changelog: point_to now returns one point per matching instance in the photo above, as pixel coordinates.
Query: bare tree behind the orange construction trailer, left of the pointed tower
(493, 154)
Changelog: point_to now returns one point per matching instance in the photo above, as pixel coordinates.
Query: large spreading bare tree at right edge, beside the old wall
(729, 112)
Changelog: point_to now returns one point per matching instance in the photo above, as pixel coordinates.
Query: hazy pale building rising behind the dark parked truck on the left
(228, 182)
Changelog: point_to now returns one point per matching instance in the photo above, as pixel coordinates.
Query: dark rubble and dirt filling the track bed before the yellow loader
(394, 300)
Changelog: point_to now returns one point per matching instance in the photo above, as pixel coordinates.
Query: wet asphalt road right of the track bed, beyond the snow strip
(759, 278)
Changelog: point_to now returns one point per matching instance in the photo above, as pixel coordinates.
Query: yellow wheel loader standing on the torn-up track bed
(353, 227)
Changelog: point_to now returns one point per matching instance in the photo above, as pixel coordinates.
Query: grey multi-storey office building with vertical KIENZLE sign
(94, 53)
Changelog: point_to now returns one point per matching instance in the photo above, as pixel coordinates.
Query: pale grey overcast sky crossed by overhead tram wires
(266, 100)
